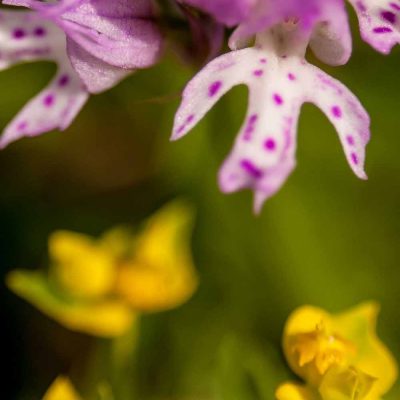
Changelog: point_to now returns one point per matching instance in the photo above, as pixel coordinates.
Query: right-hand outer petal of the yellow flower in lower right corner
(372, 357)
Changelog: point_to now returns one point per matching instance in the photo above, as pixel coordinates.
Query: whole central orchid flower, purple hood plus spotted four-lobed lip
(279, 80)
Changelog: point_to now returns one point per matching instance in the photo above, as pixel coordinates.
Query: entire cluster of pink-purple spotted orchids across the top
(96, 43)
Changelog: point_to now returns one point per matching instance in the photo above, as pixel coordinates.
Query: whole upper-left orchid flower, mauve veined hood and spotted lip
(94, 44)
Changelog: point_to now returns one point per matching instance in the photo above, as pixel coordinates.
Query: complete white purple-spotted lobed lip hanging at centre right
(279, 81)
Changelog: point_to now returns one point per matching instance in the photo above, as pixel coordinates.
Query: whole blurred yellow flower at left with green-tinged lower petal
(99, 286)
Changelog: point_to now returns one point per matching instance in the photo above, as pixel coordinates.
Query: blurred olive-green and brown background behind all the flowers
(326, 238)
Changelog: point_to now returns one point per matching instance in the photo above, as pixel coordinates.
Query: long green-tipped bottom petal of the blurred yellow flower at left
(98, 318)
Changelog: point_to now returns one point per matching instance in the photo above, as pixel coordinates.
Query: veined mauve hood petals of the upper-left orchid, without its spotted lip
(105, 41)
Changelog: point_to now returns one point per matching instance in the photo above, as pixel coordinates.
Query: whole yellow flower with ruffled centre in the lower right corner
(339, 357)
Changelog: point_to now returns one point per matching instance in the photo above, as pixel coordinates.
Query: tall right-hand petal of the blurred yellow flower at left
(161, 275)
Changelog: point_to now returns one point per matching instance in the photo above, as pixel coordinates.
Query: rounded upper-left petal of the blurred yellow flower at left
(81, 267)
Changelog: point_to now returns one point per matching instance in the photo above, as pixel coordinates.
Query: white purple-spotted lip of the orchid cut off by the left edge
(24, 36)
